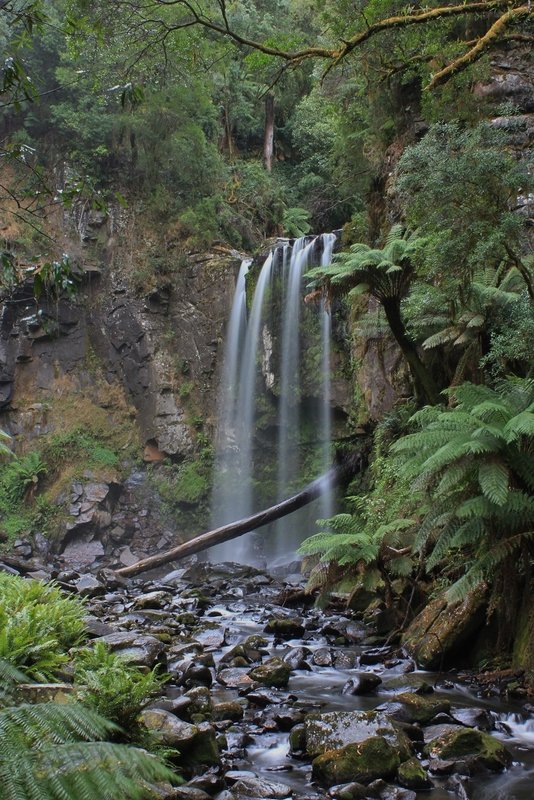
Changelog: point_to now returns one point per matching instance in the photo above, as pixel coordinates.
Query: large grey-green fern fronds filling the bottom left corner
(52, 751)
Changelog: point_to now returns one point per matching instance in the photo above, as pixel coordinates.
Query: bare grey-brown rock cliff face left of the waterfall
(159, 349)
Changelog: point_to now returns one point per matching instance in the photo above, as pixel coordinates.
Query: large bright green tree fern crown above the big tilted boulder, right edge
(474, 462)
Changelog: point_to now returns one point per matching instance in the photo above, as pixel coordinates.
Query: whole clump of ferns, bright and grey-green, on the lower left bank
(80, 748)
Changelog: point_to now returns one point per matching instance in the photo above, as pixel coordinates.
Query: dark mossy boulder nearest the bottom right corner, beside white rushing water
(476, 748)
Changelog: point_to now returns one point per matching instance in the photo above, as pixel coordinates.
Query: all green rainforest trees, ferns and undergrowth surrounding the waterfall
(234, 122)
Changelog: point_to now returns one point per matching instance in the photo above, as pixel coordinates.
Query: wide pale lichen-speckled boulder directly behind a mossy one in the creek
(338, 728)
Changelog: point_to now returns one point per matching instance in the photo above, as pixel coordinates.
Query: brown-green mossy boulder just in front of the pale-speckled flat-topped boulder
(362, 762)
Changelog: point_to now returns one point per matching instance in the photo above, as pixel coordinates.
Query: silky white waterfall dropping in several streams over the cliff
(253, 390)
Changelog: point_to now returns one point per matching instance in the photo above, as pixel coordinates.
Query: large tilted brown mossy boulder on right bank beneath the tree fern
(440, 630)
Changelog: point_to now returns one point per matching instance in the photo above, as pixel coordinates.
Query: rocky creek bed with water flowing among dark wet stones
(270, 697)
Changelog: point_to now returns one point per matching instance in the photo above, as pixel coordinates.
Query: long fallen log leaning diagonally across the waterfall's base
(340, 473)
